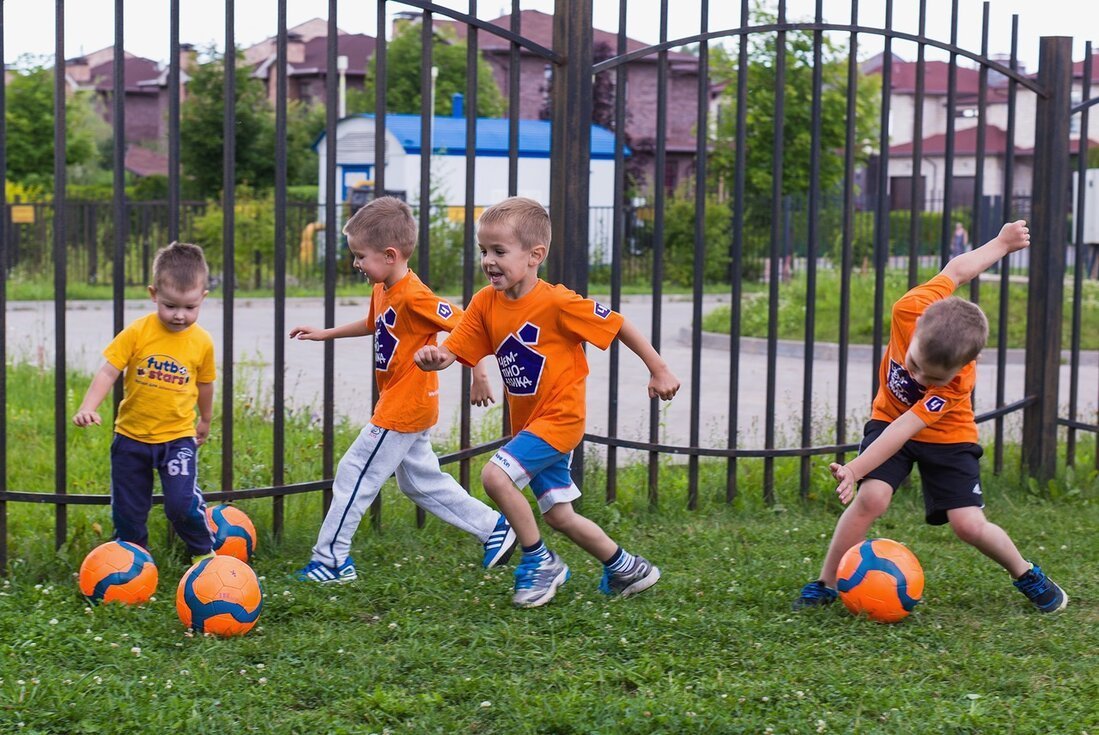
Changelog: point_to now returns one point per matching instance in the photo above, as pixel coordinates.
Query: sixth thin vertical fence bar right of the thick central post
(815, 181)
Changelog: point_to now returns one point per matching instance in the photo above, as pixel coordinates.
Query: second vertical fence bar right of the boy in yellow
(279, 398)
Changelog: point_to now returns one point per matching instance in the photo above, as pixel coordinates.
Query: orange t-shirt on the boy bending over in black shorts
(948, 410)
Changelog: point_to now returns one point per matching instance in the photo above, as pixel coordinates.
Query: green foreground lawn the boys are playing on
(427, 642)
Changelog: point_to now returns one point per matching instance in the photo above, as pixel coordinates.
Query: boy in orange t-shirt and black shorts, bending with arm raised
(924, 415)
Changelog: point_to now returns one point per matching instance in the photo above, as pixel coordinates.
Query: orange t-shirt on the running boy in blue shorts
(539, 342)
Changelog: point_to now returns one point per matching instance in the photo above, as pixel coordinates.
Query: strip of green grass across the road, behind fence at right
(793, 304)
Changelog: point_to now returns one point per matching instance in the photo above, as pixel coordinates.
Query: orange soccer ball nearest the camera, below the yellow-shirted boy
(220, 596)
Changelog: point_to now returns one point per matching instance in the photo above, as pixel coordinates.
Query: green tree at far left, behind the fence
(30, 119)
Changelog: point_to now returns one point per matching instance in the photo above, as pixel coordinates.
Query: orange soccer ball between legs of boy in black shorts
(881, 580)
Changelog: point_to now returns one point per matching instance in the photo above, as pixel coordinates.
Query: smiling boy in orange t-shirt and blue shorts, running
(537, 332)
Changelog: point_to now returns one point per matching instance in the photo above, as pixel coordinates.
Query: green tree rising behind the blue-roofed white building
(404, 62)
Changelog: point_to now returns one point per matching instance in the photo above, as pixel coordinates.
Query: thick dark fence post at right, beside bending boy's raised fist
(1046, 292)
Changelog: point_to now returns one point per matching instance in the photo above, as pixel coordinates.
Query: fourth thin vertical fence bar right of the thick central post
(740, 166)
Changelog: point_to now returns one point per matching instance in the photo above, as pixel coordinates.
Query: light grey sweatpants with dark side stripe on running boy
(372, 460)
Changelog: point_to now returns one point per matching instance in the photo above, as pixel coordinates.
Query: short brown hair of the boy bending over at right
(952, 333)
